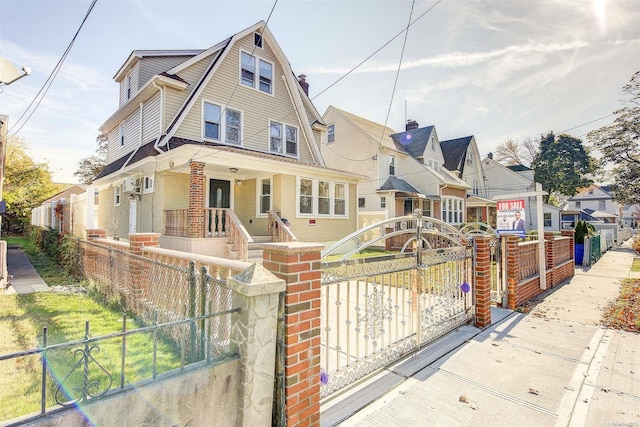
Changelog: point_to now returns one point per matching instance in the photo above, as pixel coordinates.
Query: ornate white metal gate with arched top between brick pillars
(388, 290)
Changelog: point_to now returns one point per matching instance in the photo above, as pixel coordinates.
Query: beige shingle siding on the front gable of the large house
(257, 108)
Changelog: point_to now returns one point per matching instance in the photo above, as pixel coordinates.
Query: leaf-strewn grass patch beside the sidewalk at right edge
(624, 312)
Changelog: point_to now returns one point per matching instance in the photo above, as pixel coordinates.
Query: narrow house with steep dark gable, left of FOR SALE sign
(461, 156)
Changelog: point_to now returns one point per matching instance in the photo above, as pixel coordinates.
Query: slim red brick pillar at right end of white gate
(482, 281)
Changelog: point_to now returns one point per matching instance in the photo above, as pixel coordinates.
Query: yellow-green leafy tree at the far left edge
(26, 185)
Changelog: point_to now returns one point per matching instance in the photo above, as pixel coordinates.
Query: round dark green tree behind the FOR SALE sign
(562, 165)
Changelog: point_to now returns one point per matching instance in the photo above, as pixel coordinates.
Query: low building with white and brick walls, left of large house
(57, 212)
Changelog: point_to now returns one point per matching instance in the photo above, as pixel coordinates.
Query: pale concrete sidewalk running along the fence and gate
(555, 366)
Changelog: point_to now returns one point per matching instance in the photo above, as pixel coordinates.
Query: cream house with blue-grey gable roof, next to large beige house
(404, 169)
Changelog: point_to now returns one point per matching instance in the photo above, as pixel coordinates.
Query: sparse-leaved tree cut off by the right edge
(619, 144)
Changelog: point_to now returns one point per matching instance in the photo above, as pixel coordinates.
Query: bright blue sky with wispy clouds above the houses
(497, 70)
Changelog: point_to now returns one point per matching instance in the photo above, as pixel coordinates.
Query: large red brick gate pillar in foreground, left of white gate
(298, 264)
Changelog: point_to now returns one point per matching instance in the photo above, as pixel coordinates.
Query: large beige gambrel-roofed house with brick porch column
(207, 144)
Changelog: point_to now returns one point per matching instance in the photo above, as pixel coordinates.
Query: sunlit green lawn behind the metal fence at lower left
(22, 319)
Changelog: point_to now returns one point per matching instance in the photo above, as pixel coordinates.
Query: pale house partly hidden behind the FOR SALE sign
(507, 180)
